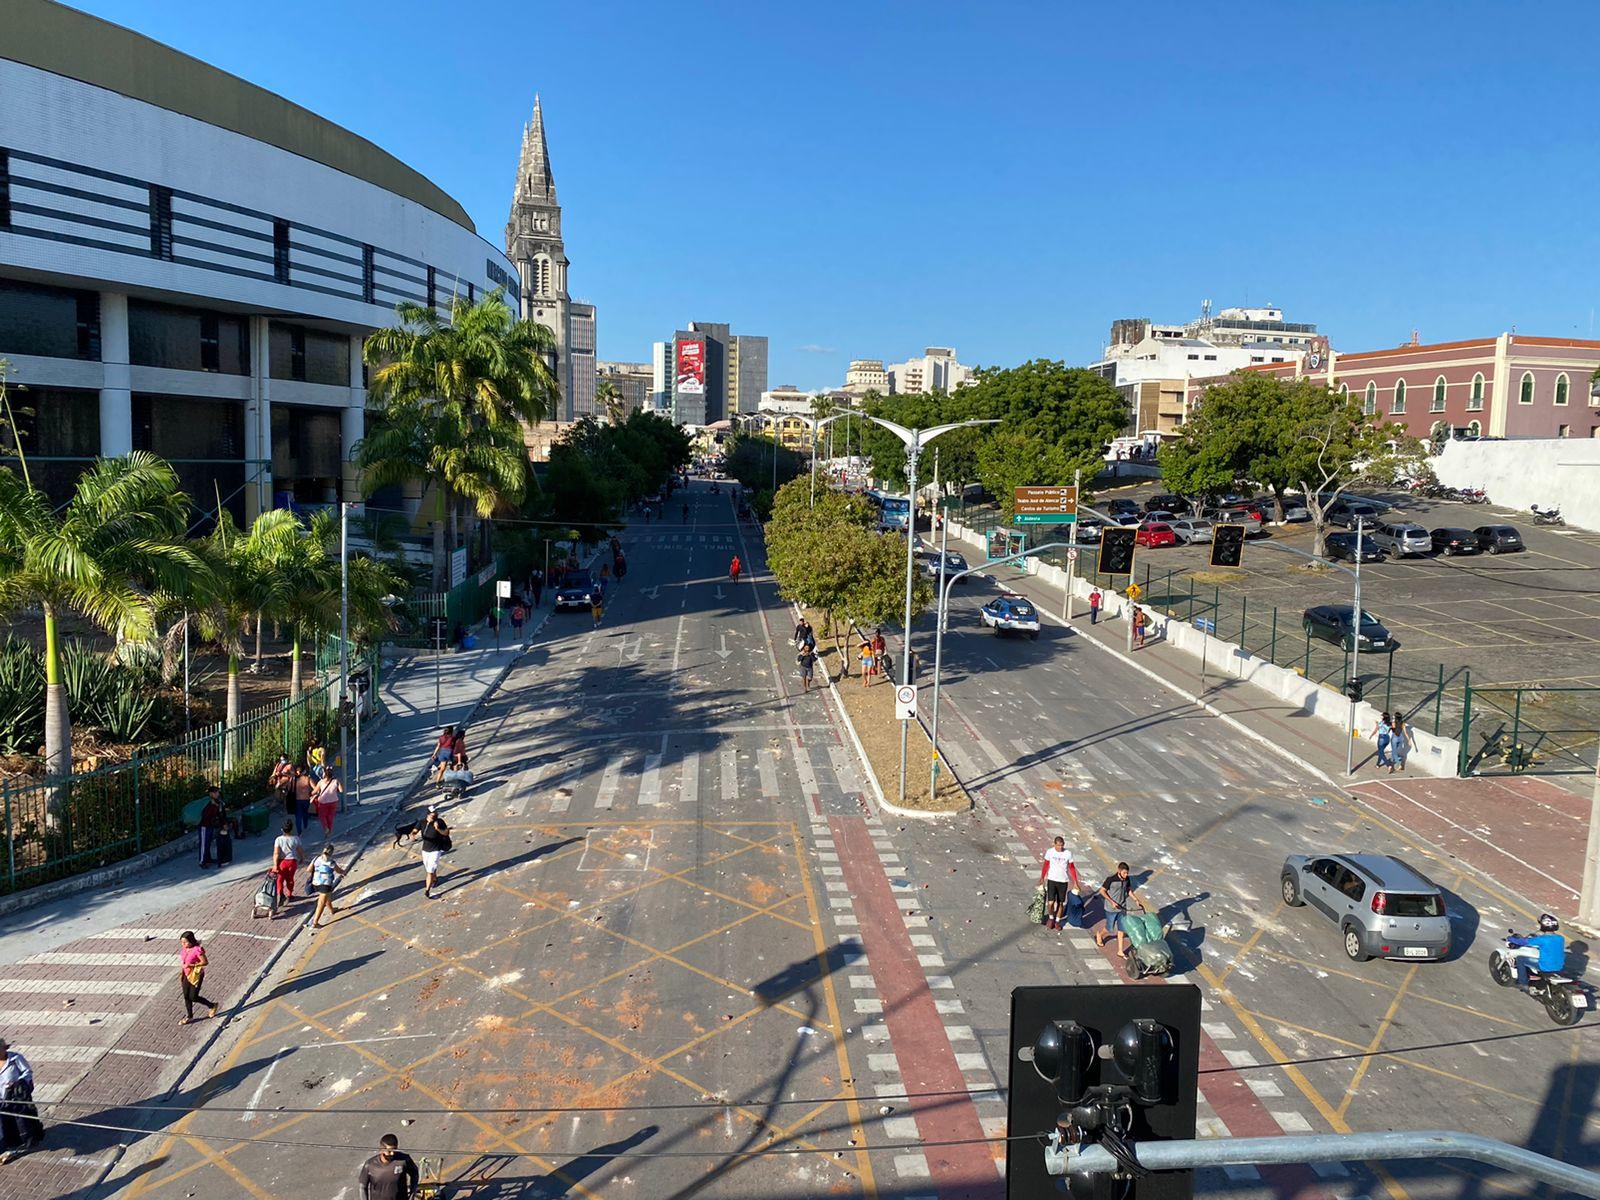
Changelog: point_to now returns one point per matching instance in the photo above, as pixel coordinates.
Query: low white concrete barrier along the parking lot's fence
(1430, 753)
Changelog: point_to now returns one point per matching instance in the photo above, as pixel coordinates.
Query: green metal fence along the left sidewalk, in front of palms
(58, 828)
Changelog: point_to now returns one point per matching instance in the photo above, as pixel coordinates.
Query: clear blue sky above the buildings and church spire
(863, 180)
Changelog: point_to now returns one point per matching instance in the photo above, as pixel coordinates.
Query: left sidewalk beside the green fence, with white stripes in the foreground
(89, 988)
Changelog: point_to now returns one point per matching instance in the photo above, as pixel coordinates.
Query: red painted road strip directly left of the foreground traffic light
(927, 1060)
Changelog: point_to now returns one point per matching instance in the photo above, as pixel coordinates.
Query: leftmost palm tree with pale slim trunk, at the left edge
(105, 554)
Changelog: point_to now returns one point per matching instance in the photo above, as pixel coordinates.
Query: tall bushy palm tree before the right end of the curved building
(452, 394)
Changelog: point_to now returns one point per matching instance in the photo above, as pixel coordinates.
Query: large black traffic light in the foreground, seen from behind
(1113, 1066)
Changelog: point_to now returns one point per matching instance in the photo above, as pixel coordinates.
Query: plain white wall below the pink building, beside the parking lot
(1518, 474)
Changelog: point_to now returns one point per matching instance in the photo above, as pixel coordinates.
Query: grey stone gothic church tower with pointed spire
(534, 242)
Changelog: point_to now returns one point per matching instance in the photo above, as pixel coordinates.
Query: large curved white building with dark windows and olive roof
(190, 265)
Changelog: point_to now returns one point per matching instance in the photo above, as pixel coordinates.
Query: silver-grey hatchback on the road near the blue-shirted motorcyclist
(1383, 908)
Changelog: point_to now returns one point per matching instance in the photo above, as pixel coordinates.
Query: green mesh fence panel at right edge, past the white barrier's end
(1530, 730)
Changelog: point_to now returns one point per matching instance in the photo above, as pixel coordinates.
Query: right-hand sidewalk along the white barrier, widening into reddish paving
(1522, 833)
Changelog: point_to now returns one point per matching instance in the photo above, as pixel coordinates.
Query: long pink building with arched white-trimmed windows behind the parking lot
(1508, 386)
